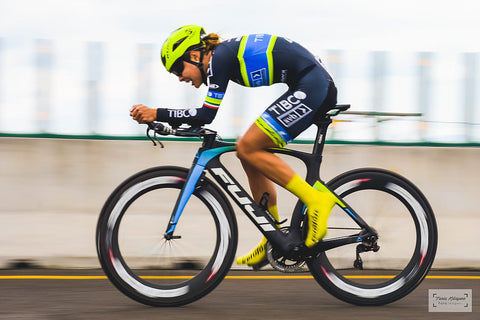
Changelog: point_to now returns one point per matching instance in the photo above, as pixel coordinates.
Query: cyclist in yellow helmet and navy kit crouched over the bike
(252, 61)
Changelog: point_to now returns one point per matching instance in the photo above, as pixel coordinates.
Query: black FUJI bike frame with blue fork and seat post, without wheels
(290, 243)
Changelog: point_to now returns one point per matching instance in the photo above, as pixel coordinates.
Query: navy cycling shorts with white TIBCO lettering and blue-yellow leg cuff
(294, 111)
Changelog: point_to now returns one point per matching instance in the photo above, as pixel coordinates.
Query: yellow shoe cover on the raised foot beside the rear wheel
(318, 214)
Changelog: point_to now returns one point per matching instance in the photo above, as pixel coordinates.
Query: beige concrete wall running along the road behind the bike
(52, 191)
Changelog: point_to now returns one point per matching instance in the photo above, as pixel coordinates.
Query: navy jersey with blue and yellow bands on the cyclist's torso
(253, 61)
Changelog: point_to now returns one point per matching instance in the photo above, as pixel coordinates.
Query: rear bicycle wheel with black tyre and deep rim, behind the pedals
(407, 233)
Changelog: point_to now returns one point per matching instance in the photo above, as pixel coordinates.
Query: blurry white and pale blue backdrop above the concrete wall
(76, 67)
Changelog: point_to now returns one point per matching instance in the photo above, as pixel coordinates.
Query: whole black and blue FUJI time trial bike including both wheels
(167, 236)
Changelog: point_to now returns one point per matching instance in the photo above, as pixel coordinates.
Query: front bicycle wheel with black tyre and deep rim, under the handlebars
(138, 259)
